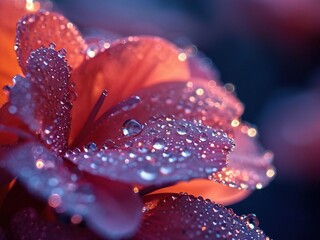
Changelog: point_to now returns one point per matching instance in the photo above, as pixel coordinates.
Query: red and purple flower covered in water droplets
(98, 160)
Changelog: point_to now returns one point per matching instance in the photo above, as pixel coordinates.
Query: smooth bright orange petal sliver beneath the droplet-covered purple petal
(209, 190)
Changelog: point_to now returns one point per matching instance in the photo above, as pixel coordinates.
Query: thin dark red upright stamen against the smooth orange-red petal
(90, 119)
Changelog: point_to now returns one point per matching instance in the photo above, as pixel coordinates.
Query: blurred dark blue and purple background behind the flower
(270, 51)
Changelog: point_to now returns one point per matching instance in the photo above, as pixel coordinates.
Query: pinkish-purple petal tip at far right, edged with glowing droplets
(249, 166)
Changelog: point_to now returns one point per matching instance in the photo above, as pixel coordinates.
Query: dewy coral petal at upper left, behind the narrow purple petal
(41, 28)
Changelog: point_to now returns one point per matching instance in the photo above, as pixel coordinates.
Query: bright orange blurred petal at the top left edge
(10, 14)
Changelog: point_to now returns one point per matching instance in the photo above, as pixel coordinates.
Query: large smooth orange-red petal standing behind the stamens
(123, 68)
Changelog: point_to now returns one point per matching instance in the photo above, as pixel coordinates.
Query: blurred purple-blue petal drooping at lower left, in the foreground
(111, 209)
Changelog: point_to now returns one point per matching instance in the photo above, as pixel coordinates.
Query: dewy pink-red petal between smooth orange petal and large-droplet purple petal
(200, 100)
